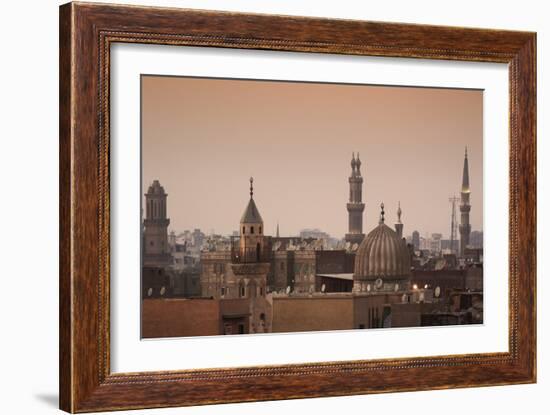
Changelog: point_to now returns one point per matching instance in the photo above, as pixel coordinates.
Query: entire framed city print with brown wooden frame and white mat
(258, 207)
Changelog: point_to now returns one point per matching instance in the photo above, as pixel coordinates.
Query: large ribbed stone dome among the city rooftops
(382, 254)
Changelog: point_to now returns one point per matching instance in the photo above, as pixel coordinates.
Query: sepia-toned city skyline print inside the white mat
(197, 283)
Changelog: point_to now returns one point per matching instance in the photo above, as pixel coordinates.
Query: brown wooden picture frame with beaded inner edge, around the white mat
(86, 33)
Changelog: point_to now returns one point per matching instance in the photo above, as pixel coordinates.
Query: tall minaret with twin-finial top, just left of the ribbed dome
(355, 205)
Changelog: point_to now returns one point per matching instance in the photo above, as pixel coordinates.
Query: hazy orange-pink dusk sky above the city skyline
(203, 139)
